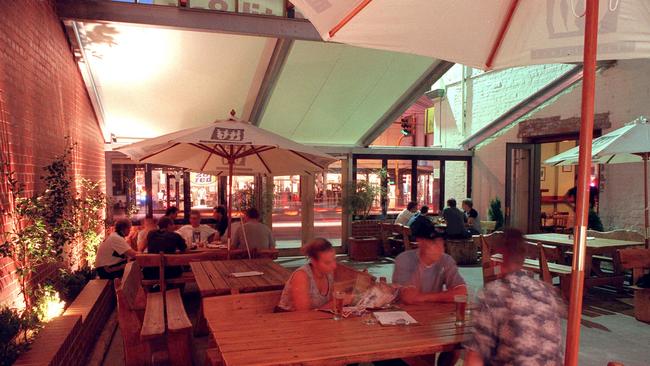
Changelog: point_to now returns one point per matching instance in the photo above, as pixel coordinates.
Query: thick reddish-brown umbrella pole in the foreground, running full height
(584, 173)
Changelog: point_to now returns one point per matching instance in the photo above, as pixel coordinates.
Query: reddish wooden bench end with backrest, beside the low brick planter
(137, 330)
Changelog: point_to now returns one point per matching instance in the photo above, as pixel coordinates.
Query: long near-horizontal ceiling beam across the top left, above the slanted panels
(172, 17)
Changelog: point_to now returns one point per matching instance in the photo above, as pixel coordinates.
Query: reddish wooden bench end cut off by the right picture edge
(637, 260)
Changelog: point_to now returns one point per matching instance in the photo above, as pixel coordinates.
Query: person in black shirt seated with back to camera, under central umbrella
(167, 241)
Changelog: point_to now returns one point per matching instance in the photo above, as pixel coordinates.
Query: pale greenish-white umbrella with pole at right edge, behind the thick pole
(628, 144)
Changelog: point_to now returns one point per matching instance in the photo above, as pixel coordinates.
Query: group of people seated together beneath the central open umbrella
(163, 235)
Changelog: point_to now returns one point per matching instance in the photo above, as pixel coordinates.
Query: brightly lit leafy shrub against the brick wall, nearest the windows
(88, 217)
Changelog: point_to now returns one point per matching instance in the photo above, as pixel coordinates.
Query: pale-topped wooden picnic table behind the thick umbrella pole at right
(594, 276)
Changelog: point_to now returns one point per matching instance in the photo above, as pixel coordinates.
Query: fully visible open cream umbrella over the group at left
(229, 147)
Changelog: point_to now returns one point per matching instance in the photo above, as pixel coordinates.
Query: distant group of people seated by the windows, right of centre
(459, 223)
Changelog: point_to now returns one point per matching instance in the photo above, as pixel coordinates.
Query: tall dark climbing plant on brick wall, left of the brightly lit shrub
(58, 199)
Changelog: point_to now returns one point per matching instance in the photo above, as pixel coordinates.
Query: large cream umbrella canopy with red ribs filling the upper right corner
(484, 34)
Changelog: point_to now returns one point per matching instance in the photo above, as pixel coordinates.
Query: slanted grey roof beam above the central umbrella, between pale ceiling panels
(273, 71)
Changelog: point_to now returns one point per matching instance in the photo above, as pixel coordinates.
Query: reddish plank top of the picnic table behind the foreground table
(214, 277)
